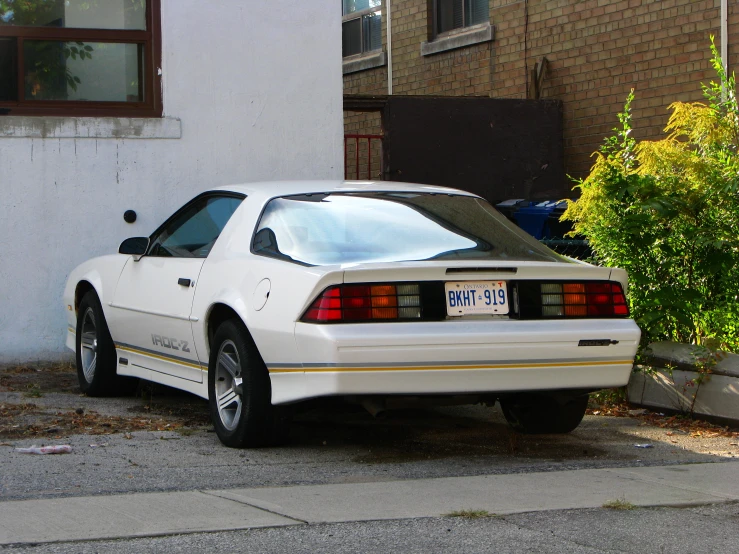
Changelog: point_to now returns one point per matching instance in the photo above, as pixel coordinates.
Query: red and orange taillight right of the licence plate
(599, 299)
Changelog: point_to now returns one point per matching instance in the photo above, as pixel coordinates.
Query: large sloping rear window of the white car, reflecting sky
(339, 228)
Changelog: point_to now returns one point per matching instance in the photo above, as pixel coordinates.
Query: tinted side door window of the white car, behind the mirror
(193, 232)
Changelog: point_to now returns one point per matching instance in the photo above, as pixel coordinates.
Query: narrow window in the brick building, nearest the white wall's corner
(361, 27)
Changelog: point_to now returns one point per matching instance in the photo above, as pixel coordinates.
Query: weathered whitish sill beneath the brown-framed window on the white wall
(42, 127)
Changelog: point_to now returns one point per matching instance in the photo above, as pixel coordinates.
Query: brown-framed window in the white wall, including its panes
(77, 57)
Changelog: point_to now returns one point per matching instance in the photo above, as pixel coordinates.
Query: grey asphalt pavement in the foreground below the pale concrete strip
(709, 529)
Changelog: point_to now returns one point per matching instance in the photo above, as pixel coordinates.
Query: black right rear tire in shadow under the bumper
(544, 413)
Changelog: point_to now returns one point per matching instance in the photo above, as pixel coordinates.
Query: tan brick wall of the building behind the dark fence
(597, 51)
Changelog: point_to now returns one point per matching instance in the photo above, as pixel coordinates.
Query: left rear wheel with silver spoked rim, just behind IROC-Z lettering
(239, 390)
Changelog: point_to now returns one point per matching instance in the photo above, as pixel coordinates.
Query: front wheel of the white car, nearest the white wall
(96, 354)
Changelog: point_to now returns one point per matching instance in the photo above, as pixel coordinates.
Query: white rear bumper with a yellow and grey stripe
(455, 357)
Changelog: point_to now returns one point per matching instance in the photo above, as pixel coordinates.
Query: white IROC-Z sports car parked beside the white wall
(262, 295)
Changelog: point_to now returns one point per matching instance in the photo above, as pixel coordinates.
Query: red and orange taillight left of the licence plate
(366, 302)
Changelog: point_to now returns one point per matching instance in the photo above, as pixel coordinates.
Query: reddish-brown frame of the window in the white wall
(151, 39)
